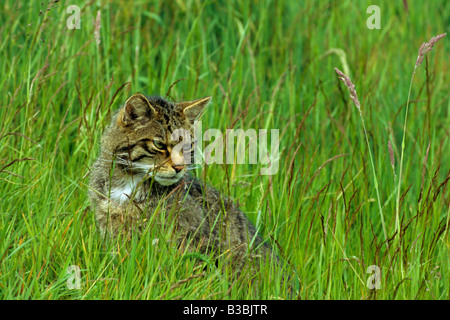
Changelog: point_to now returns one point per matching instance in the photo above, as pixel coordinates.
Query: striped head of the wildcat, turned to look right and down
(141, 136)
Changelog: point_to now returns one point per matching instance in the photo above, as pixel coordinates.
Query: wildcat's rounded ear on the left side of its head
(136, 107)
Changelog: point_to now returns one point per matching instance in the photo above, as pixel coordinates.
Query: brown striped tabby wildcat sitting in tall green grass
(137, 170)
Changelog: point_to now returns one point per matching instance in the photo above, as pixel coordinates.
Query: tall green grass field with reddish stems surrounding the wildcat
(268, 65)
